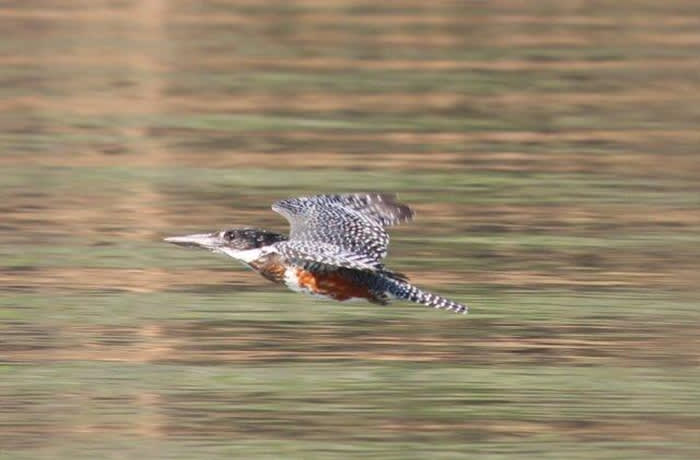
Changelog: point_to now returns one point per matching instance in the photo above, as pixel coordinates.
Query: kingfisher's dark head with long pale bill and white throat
(240, 243)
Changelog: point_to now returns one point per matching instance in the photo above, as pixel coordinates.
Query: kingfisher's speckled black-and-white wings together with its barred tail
(330, 232)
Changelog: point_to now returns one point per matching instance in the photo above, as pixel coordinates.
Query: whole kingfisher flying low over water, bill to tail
(335, 249)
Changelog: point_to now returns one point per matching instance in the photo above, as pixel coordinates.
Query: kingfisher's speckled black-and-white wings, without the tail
(341, 230)
